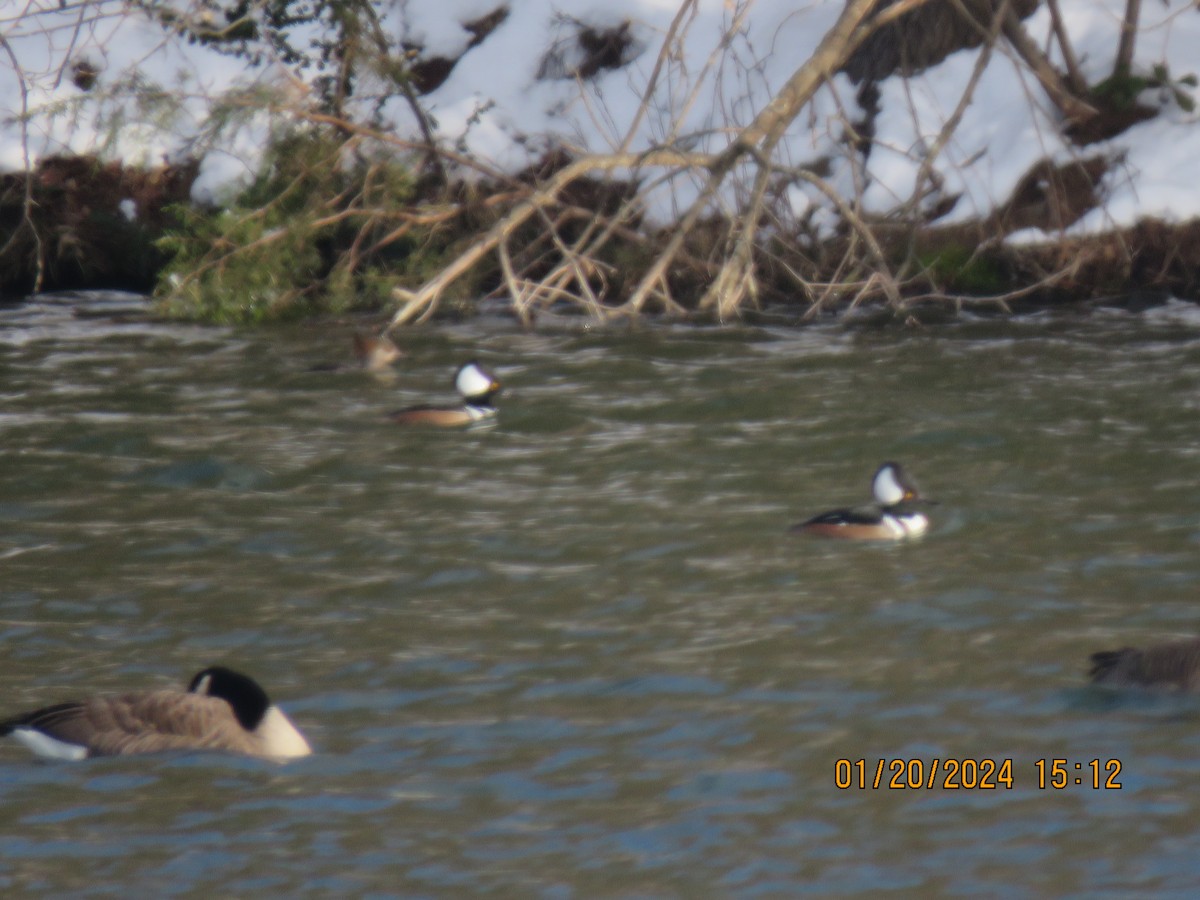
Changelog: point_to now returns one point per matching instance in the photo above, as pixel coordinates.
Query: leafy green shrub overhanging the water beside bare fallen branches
(320, 230)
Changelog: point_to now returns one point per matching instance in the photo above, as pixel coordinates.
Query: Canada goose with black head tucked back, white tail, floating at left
(223, 710)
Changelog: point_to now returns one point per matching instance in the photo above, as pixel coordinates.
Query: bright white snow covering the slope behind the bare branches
(495, 105)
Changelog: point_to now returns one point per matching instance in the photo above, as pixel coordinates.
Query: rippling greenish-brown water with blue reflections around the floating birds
(578, 655)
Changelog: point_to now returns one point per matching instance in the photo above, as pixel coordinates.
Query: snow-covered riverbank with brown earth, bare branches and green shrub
(884, 170)
